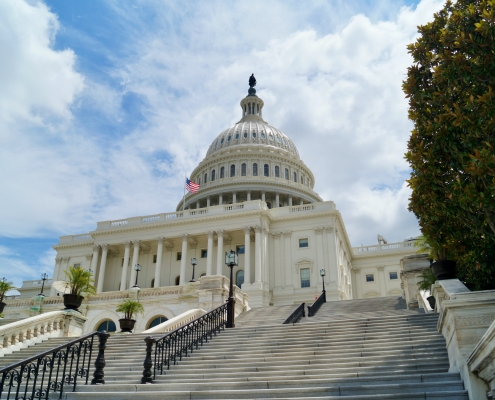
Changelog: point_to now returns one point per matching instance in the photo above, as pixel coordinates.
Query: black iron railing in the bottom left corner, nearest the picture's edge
(47, 375)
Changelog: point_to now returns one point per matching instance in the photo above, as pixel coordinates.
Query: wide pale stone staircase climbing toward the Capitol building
(353, 352)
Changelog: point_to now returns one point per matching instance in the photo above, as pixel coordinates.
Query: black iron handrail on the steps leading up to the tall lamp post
(170, 348)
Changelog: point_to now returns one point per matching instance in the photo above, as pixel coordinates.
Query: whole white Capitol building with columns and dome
(256, 197)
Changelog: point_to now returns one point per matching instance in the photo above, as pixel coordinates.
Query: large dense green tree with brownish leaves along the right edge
(451, 149)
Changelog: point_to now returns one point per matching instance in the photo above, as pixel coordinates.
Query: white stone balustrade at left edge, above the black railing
(19, 334)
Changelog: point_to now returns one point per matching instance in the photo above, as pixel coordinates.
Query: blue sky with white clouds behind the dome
(105, 105)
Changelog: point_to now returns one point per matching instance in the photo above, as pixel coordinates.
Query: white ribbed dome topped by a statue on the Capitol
(251, 160)
